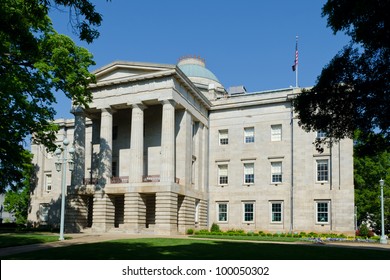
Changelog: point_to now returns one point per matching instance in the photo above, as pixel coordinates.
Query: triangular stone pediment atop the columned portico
(117, 71)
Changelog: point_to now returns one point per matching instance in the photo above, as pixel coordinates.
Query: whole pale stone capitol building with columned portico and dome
(166, 148)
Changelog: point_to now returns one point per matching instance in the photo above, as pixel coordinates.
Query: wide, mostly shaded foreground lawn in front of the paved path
(194, 249)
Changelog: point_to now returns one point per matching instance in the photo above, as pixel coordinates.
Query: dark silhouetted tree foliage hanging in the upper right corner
(353, 90)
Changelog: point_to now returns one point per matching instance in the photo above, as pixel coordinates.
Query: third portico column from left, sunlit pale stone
(137, 144)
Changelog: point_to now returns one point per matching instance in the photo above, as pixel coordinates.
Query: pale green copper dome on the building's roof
(196, 67)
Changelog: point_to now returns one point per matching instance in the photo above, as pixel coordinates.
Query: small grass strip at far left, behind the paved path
(20, 239)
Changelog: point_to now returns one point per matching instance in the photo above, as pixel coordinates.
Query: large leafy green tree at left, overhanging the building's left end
(36, 61)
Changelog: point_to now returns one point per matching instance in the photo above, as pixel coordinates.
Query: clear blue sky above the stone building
(250, 43)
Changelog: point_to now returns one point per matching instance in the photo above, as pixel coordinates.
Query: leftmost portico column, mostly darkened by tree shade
(78, 173)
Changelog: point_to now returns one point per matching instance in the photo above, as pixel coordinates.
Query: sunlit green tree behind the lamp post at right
(368, 171)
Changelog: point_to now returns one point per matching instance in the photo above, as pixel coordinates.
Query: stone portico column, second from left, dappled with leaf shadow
(105, 167)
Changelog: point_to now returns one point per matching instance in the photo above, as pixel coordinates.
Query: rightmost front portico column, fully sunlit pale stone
(167, 173)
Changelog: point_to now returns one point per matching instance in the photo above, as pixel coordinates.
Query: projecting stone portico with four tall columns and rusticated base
(144, 146)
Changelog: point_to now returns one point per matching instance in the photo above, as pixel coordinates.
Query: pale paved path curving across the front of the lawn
(85, 238)
